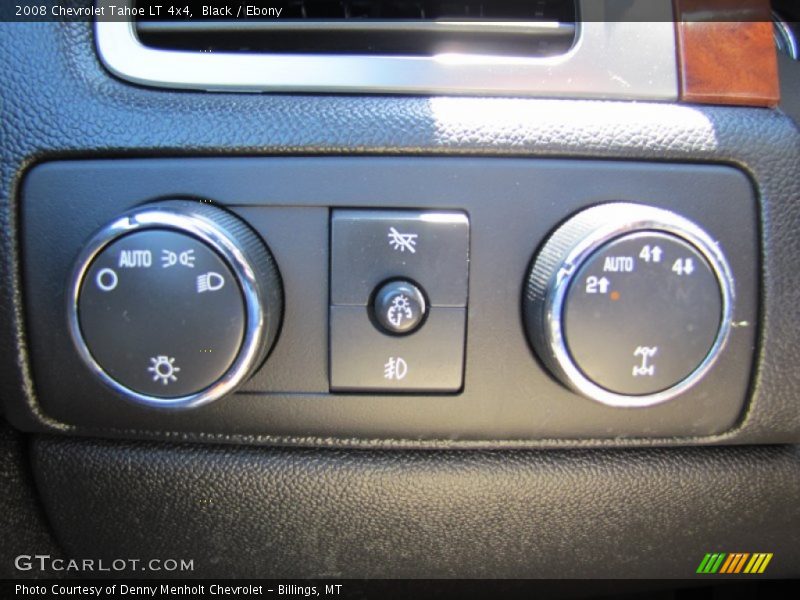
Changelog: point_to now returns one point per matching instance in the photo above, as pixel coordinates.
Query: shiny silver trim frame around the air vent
(615, 55)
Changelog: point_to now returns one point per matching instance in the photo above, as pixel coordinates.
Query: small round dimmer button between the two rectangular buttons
(399, 307)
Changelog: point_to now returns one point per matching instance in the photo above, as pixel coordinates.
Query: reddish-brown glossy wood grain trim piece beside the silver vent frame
(726, 52)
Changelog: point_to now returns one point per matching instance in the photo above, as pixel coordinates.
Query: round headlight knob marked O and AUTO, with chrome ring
(174, 304)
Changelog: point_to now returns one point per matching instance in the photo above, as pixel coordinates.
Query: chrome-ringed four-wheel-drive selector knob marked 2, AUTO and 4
(627, 304)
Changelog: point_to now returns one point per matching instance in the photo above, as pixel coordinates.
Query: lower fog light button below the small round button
(363, 358)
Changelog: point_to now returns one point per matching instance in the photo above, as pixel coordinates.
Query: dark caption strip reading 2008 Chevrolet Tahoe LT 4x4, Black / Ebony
(241, 10)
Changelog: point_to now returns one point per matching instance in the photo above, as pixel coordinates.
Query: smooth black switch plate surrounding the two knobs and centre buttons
(511, 206)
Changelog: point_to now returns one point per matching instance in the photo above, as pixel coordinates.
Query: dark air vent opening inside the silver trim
(532, 28)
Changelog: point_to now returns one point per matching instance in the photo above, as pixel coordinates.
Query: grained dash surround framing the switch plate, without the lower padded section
(762, 143)
